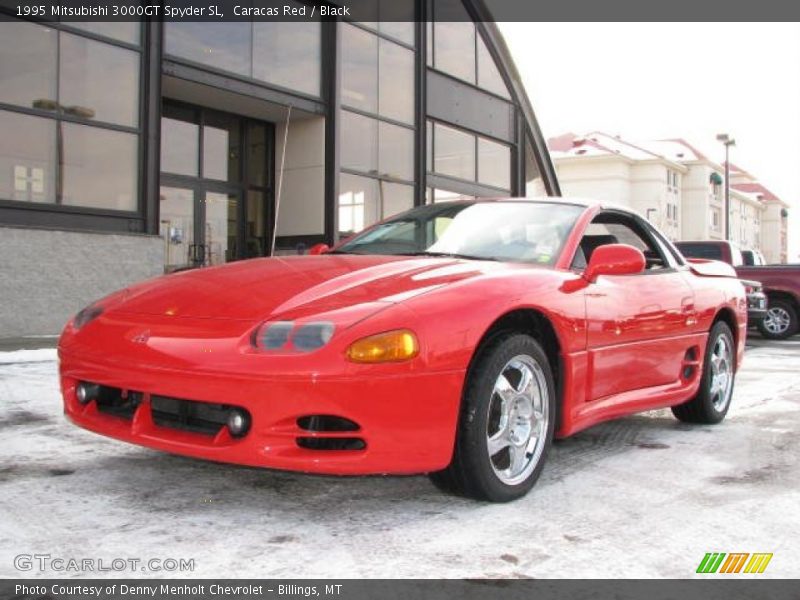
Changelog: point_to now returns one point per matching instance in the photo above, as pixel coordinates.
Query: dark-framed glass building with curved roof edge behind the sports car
(134, 149)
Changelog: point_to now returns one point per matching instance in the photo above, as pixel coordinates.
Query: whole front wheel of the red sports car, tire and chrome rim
(506, 424)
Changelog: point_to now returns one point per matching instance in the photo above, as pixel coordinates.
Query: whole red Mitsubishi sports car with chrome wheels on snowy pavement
(456, 339)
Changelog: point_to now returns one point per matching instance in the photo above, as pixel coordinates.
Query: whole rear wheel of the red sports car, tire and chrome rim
(713, 399)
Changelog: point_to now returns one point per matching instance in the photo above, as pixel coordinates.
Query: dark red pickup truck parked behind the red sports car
(781, 285)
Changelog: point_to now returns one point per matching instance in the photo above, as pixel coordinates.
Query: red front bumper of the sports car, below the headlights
(407, 422)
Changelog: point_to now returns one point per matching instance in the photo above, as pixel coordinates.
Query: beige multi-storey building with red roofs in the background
(675, 186)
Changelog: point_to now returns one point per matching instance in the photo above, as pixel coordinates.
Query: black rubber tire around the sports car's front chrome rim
(472, 472)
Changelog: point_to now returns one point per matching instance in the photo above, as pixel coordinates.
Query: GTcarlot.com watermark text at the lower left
(70, 564)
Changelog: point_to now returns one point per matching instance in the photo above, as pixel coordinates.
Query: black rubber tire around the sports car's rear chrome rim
(703, 408)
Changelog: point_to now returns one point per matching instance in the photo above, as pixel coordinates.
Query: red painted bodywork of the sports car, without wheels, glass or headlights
(624, 344)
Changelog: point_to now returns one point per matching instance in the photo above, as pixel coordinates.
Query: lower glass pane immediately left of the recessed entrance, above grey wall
(99, 168)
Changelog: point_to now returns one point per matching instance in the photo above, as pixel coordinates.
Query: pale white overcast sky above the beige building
(663, 80)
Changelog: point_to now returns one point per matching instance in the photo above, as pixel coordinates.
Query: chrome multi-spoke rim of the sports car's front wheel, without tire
(519, 414)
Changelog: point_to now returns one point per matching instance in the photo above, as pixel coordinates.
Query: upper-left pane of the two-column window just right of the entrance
(359, 68)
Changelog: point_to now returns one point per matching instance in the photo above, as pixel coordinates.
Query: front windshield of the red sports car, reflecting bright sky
(515, 231)
